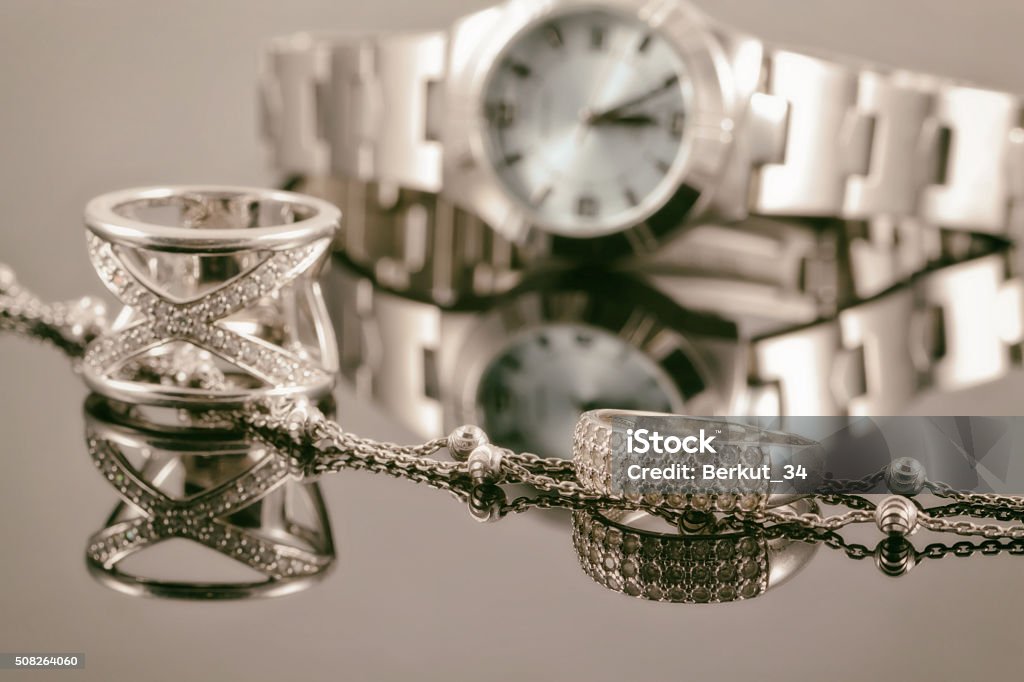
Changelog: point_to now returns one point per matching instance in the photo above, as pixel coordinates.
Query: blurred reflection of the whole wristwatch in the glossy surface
(526, 366)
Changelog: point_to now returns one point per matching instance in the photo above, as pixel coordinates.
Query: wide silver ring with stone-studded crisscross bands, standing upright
(222, 280)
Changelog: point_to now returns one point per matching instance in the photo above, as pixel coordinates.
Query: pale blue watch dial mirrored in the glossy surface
(533, 393)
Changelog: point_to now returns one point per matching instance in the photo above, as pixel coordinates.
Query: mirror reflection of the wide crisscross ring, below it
(236, 498)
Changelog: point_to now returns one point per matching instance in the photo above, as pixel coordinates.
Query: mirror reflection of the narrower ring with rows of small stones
(619, 553)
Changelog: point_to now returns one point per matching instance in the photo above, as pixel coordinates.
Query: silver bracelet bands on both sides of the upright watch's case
(834, 140)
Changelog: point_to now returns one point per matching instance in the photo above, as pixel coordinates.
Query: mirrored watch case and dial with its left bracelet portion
(527, 367)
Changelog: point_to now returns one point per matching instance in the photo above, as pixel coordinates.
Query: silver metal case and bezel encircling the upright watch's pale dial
(473, 182)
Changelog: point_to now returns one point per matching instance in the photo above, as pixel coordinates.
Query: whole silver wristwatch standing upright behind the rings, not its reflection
(534, 133)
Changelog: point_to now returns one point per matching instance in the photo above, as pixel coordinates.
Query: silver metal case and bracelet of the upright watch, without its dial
(773, 132)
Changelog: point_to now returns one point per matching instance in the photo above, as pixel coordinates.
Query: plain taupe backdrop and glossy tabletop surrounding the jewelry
(100, 96)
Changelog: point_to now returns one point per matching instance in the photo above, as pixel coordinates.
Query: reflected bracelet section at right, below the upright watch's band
(948, 329)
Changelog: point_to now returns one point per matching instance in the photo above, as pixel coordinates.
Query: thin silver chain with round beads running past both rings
(317, 446)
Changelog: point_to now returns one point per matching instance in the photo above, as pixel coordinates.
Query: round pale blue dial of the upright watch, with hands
(586, 115)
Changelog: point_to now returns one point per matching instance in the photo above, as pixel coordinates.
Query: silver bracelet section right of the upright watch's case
(868, 142)
